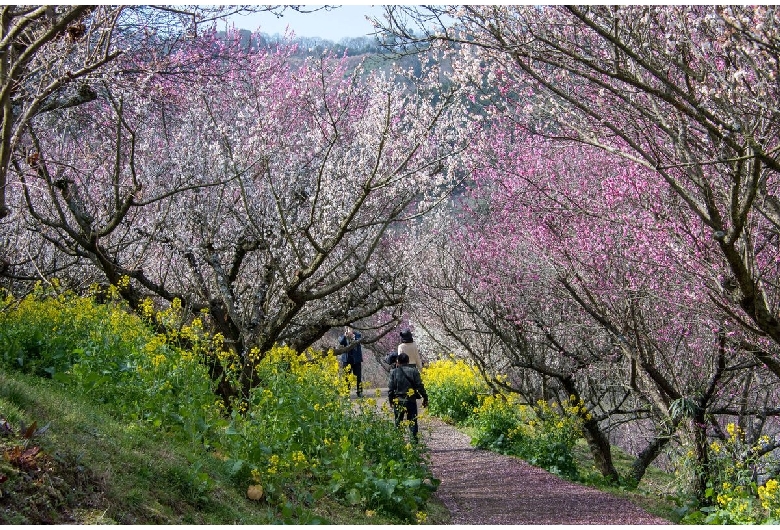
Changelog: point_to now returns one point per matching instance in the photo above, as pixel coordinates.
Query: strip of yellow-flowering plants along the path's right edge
(543, 434)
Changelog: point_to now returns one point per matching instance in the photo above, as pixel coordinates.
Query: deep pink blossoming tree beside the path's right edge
(570, 273)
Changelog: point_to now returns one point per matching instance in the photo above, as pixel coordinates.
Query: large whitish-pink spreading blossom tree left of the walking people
(261, 191)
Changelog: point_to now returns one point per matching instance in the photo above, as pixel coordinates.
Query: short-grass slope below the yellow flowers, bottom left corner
(92, 469)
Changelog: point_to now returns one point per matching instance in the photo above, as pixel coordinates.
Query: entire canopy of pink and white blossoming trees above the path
(582, 199)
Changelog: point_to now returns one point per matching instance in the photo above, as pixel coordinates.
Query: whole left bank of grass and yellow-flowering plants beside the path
(296, 448)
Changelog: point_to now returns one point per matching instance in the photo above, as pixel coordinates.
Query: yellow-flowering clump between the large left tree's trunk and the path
(300, 428)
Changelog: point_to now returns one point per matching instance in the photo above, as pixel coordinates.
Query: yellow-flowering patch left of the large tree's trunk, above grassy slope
(109, 354)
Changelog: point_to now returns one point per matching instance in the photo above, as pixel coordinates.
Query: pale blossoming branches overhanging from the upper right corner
(688, 93)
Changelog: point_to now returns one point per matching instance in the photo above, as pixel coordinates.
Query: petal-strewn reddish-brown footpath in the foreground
(480, 487)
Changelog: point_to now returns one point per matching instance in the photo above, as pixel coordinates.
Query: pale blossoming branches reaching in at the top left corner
(52, 57)
